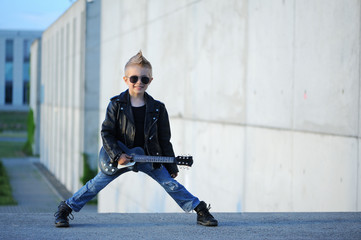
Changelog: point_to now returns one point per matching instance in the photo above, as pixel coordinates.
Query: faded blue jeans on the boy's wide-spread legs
(177, 191)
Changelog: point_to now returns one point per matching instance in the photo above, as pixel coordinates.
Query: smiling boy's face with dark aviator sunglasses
(139, 74)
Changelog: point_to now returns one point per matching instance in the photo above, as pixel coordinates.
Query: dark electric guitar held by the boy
(138, 155)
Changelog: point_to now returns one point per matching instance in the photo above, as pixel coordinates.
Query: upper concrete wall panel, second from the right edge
(270, 63)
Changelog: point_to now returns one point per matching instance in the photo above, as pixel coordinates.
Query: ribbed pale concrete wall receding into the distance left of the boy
(68, 129)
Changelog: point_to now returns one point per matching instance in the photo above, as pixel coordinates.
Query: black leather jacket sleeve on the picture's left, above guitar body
(109, 131)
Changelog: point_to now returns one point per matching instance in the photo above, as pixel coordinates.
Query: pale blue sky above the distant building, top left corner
(31, 14)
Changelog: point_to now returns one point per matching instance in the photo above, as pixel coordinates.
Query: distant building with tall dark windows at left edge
(15, 68)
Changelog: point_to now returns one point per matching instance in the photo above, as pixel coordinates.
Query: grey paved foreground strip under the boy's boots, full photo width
(182, 226)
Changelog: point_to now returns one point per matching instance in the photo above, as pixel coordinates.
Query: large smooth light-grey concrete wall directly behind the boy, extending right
(264, 94)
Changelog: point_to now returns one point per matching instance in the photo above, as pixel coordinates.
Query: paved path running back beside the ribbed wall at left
(33, 187)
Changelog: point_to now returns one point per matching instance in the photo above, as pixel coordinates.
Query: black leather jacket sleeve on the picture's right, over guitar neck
(164, 135)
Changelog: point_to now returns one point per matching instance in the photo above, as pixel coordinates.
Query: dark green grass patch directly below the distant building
(13, 121)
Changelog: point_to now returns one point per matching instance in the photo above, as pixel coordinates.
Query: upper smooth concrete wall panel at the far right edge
(327, 66)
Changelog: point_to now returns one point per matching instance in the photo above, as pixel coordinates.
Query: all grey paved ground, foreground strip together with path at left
(38, 195)
